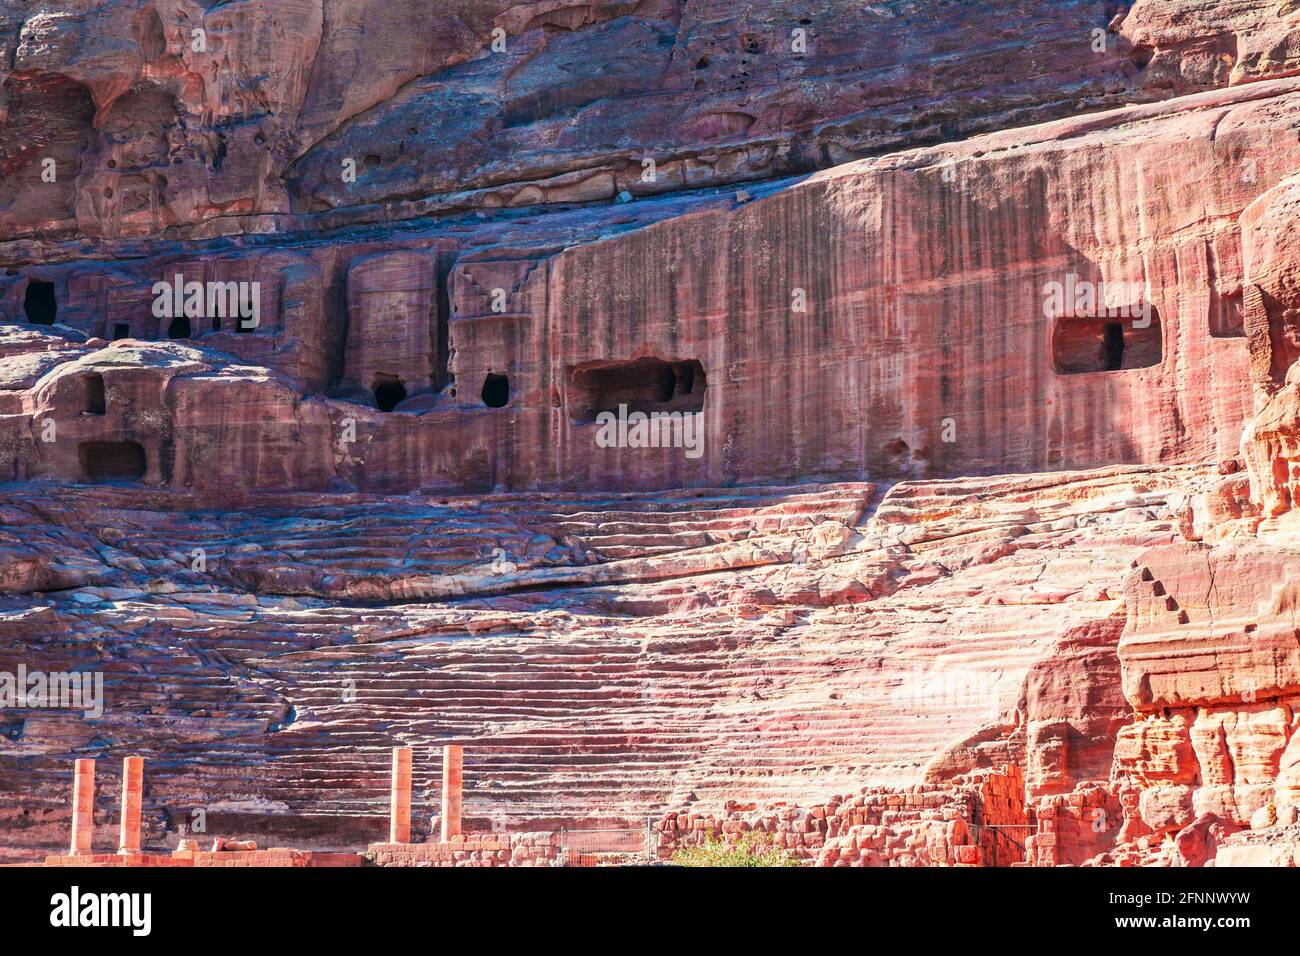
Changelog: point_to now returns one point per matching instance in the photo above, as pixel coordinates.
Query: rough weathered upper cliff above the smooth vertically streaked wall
(175, 114)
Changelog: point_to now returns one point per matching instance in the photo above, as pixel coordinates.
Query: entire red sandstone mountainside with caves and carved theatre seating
(692, 409)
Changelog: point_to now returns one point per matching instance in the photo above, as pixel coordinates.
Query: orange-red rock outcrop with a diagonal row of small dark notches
(1212, 671)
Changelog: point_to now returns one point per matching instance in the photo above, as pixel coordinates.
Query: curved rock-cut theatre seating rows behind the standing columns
(795, 661)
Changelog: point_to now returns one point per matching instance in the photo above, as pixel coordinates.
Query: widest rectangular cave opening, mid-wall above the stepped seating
(644, 386)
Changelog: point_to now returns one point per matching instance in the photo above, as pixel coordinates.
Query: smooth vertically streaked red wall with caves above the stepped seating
(912, 285)
